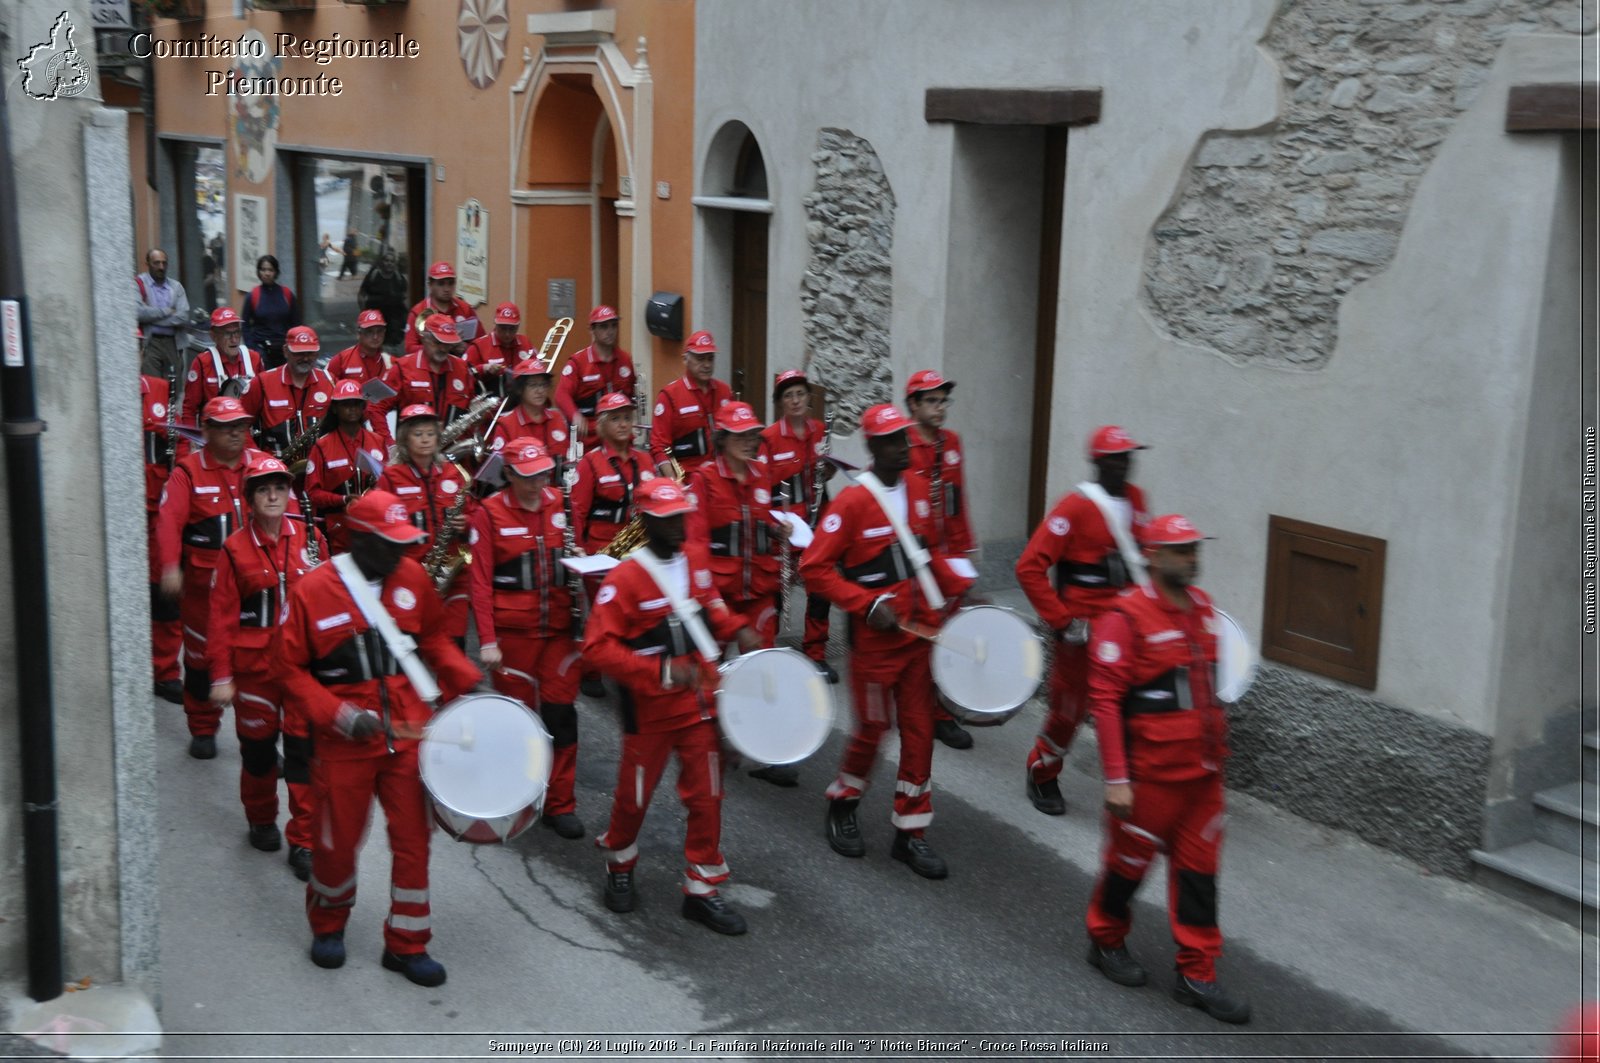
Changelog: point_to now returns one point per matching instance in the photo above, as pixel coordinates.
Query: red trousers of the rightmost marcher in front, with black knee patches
(1186, 820)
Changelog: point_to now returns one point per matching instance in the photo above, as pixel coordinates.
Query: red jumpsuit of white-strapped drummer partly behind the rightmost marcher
(1071, 569)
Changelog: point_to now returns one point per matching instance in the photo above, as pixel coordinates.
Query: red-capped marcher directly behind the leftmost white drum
(526, 612)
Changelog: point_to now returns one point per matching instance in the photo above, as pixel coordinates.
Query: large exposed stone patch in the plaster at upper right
(1274, 227)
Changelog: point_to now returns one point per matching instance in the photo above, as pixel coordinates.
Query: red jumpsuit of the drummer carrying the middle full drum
(633, 636)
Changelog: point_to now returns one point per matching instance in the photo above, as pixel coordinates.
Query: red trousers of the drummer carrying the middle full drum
(700, 788)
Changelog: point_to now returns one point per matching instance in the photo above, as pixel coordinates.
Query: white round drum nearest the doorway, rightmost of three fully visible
(988, 664)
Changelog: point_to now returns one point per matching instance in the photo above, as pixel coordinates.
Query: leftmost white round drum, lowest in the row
(486, 763)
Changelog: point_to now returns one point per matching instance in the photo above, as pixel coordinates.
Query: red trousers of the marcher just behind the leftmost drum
(543, 673)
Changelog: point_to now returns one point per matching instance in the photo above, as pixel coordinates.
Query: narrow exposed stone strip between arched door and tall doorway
(849, 284)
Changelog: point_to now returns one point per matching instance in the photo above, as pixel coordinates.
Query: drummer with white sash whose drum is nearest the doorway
(866, 560)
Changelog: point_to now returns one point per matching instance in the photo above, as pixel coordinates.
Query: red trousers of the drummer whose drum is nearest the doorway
(900, 686)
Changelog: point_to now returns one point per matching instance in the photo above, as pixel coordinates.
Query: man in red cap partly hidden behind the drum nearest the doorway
(937, 455)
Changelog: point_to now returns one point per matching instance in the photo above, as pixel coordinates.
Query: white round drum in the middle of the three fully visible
(775, 707)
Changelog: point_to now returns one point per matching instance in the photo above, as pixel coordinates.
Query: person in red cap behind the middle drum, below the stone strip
(791, 447)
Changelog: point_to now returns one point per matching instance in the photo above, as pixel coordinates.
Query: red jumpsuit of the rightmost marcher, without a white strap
(1161, 728)
